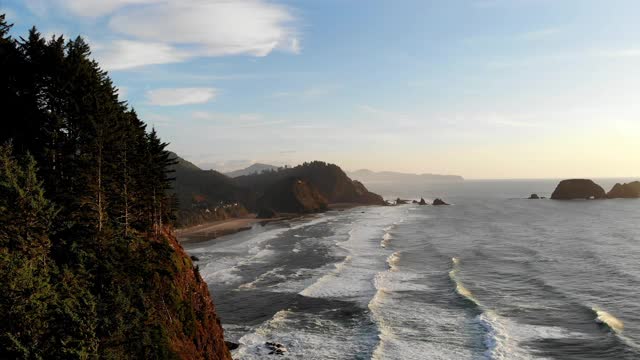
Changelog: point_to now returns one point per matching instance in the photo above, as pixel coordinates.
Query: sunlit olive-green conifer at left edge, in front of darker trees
(25, 267)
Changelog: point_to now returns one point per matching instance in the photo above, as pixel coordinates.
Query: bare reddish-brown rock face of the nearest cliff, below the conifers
(187, 310)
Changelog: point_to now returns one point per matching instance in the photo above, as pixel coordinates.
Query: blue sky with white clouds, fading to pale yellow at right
(486, 89)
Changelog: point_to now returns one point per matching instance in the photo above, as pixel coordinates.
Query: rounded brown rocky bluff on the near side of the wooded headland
(293, 195)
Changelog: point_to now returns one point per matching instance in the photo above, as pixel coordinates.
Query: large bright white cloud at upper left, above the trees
(147, 32)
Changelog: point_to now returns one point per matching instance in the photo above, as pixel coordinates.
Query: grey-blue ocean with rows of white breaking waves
(493, 276)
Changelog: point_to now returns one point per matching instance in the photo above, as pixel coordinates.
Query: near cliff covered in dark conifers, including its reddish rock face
(88, 265)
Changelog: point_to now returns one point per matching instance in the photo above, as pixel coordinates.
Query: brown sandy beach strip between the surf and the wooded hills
(220, 228)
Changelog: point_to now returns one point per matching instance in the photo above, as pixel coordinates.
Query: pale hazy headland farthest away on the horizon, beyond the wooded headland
(385, 177)
